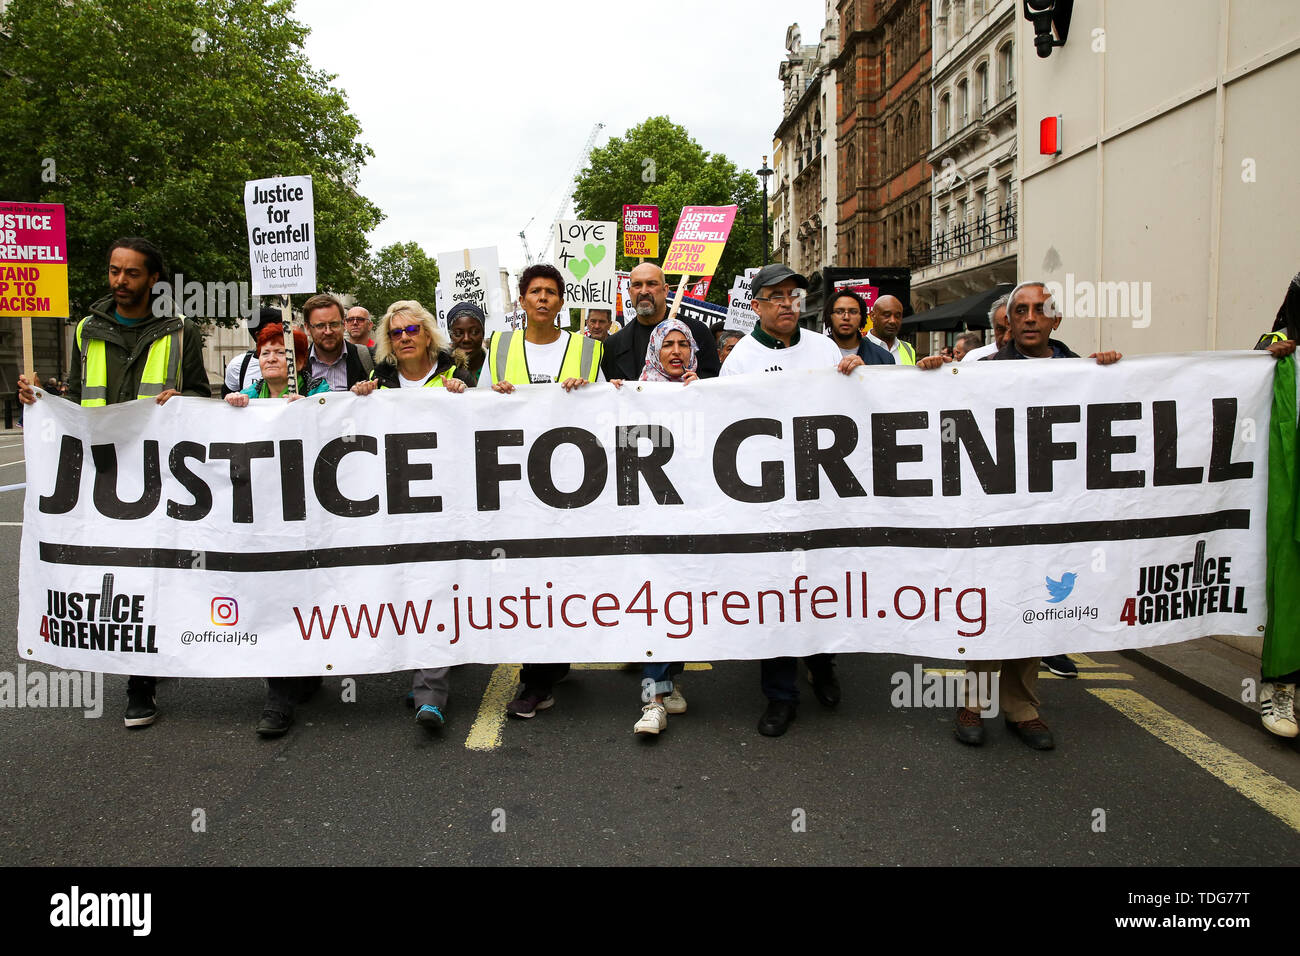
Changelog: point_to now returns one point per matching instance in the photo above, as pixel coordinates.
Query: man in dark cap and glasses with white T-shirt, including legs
(777, 345)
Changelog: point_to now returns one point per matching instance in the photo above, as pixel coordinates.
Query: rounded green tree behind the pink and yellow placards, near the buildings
(657, 163)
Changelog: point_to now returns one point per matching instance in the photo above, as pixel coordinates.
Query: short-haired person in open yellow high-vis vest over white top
(543, 353)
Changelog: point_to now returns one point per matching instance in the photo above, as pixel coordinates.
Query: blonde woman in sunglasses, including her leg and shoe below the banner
(411, 353)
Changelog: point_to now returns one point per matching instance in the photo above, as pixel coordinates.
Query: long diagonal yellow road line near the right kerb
(1238, 773)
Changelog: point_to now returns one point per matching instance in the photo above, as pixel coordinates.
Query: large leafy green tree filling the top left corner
(146, 119)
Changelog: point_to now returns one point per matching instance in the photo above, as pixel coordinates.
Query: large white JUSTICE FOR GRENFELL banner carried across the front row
(1008, 509)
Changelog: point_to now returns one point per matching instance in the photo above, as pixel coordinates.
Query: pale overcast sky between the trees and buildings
(479, 111)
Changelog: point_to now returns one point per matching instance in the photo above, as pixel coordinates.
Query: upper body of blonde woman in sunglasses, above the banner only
(411, 353)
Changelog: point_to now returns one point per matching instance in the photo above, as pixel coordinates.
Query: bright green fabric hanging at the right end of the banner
(1282, 583)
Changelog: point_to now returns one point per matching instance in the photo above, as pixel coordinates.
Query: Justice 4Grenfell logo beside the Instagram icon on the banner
(98, 621)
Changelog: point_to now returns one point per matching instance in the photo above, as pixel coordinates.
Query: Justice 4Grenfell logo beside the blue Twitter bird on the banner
(1186, 590)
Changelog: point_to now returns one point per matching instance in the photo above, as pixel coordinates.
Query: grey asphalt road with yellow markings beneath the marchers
(1169, 780)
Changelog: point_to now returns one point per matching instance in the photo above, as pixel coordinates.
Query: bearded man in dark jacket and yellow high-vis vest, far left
(133, 345)
